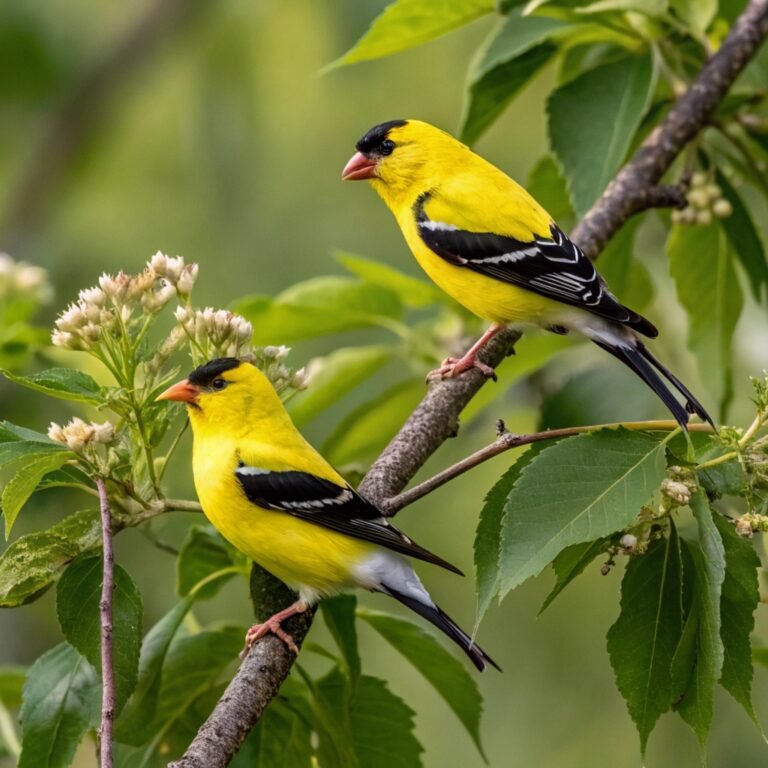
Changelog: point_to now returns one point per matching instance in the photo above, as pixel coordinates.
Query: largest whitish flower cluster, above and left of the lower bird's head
(100, 309)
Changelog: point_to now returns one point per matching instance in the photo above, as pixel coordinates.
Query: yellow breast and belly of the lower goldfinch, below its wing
(306, 557)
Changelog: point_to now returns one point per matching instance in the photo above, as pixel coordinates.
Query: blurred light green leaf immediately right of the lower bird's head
(333, 376)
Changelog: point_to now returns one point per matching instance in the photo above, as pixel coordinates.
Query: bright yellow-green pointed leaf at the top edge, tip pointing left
(406, 23)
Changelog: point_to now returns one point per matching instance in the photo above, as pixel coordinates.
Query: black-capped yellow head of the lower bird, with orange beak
(226, 393)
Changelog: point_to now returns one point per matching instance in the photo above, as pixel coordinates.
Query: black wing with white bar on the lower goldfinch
(333, 506)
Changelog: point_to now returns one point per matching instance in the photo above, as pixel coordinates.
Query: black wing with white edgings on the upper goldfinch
(554, 266)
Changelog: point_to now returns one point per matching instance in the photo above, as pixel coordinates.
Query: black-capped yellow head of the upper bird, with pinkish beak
(402, 158)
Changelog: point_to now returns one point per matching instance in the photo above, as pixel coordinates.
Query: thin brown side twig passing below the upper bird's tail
(508, 440)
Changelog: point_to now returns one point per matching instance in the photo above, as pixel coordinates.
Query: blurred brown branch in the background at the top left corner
(74, 122)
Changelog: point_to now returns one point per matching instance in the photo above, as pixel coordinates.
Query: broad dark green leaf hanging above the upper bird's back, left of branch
(592, 120)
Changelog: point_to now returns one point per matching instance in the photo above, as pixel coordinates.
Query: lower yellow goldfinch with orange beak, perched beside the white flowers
(275, 498)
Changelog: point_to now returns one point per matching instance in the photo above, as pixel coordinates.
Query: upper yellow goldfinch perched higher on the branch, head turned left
(487, 243)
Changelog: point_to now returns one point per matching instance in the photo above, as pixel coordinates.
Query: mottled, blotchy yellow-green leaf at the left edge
(30, 564)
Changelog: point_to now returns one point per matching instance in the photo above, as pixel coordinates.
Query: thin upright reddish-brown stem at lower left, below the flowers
(105, 611)
